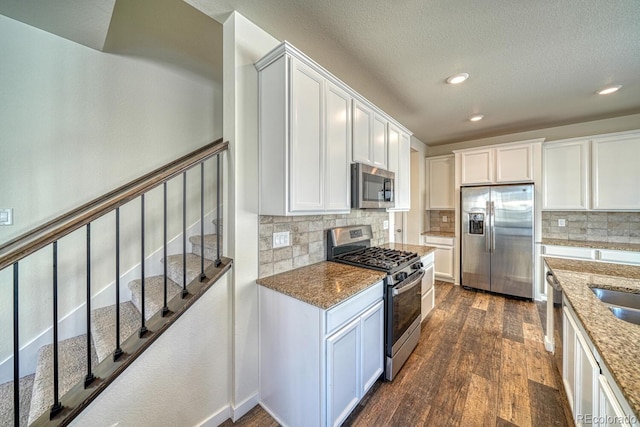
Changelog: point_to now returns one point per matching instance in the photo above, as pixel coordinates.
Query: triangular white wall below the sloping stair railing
(182, 379)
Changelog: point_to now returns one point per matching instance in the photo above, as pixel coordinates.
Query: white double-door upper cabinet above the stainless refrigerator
(498, 164)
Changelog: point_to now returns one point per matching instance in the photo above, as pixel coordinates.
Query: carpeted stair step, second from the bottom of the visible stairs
(72, 368)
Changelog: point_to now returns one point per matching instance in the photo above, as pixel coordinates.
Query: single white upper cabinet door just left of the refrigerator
(441, 182)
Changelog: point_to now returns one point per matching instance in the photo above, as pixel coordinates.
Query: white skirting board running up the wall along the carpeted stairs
(74, 323)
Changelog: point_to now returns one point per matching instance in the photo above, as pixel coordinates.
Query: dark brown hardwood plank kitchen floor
(480, 361)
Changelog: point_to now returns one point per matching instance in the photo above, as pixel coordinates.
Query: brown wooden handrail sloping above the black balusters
(34, 240)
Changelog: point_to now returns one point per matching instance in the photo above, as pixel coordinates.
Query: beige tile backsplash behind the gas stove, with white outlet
(307, 238)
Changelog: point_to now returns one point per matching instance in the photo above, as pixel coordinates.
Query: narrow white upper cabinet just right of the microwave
(399, 157)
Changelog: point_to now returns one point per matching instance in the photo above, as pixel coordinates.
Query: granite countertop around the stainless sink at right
(617, 341)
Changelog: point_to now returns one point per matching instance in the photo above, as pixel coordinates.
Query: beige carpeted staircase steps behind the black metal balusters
(36, 390)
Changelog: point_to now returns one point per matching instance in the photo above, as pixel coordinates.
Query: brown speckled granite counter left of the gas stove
(324, 284)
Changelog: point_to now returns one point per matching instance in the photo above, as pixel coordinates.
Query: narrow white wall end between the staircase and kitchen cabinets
(244, 44)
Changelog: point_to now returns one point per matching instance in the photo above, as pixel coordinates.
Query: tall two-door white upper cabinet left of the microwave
(305, 137)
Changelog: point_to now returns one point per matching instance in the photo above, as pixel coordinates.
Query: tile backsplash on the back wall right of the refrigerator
(614, 227)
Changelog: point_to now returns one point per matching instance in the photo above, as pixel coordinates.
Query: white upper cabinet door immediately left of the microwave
(338, 149)
